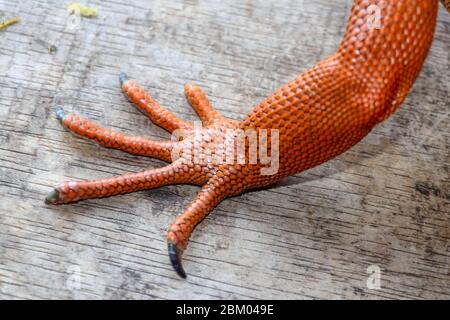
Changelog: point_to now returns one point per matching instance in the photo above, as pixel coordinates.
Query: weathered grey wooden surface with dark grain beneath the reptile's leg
(384, 203)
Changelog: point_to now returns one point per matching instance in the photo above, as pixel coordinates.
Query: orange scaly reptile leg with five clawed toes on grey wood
(319, 115)
